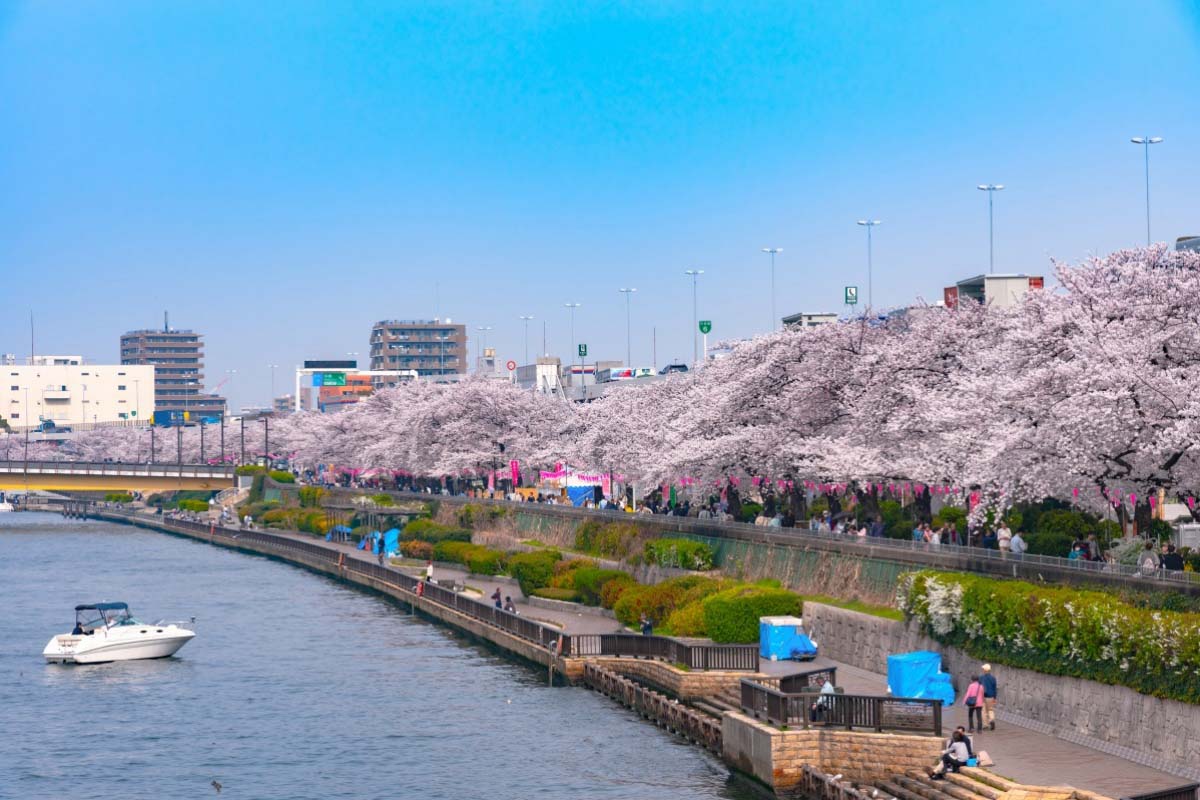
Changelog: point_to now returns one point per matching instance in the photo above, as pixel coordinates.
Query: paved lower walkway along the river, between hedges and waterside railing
(1025, 756)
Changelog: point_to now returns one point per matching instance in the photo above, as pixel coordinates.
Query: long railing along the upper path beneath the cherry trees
(953, 557)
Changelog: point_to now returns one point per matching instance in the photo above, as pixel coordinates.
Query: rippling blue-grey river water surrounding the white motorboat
(296, 687)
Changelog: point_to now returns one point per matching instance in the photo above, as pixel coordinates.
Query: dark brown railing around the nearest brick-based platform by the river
(849, 712)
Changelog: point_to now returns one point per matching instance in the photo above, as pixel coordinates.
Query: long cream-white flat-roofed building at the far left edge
(68, 392)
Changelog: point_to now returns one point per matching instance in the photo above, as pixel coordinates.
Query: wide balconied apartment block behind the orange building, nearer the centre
(429, 347)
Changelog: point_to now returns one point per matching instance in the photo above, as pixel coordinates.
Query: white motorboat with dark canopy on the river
(109, 633)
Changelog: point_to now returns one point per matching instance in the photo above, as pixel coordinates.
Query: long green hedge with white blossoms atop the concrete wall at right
(1060, 631)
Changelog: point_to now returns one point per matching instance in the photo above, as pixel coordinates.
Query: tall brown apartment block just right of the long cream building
(178, 360)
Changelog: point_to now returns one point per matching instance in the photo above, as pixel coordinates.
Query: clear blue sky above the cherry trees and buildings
(280, 176)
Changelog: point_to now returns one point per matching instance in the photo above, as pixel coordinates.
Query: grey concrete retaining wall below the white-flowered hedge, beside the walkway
(1160, 733)
